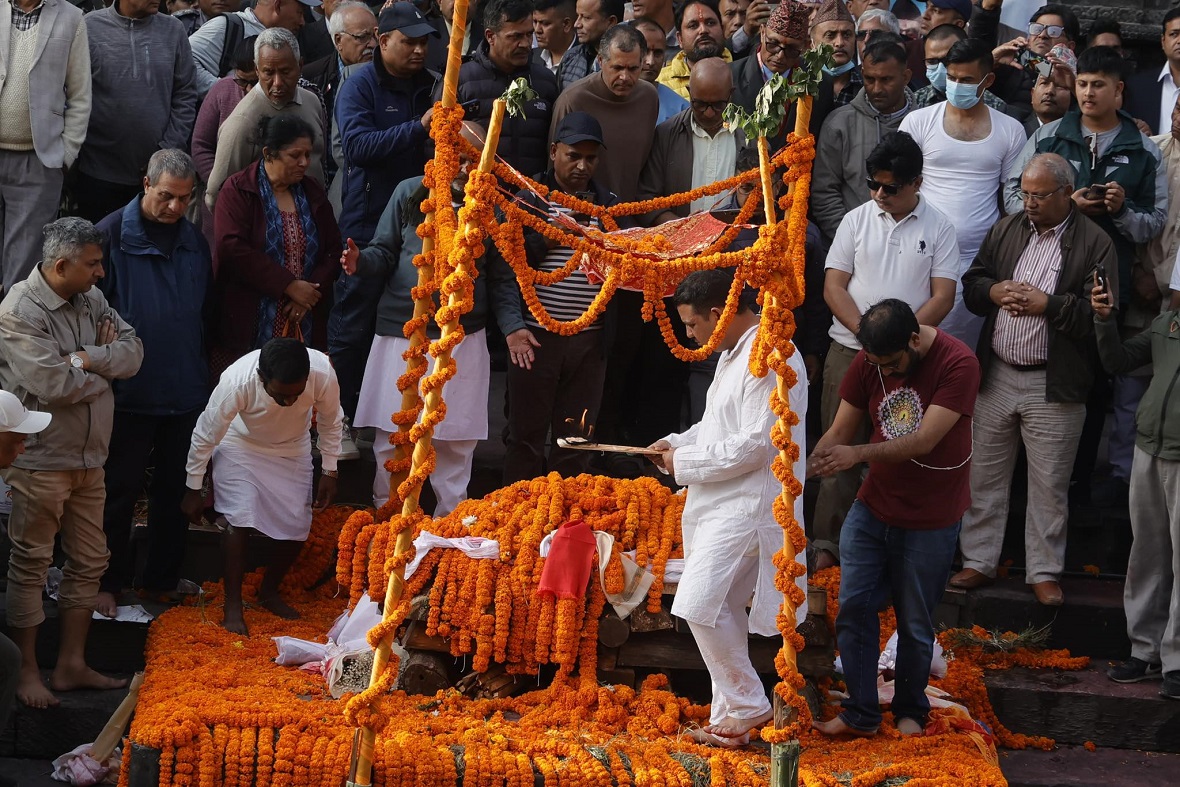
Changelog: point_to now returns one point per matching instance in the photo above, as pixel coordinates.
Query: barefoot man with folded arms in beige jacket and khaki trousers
(61, 347)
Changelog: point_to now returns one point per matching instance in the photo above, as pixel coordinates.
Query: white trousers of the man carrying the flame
(738, 691)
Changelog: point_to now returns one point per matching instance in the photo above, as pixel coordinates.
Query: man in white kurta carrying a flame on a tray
(730, 530)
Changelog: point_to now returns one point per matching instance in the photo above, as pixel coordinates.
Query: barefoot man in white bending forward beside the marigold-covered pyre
(257, 429)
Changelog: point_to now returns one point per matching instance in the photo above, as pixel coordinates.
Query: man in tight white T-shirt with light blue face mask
(968, 148)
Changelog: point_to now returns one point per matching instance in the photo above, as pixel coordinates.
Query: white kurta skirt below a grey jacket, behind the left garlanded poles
(466, 395)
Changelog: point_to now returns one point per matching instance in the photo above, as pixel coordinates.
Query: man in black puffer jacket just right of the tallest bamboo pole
(504, 56)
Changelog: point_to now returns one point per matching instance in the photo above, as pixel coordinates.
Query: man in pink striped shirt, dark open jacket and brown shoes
(1031, 283)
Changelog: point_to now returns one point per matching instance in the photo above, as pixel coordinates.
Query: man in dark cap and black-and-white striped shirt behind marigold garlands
(554, 378)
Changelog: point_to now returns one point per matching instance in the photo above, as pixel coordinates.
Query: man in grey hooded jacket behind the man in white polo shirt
(851, 133)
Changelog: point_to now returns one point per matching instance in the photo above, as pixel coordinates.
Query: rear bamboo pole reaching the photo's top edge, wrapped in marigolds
(411, 398)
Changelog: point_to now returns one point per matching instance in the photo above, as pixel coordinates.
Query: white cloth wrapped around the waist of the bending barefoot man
(268, 494)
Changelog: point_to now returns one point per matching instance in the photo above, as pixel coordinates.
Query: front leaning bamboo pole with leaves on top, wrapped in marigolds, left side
(397, 585)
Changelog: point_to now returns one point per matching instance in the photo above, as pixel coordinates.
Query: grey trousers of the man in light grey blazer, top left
(30, 199)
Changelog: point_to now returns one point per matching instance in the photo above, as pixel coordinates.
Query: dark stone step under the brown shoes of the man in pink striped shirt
(1091, 624)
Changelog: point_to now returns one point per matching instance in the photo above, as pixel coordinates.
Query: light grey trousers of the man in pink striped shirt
(1012, 410)
